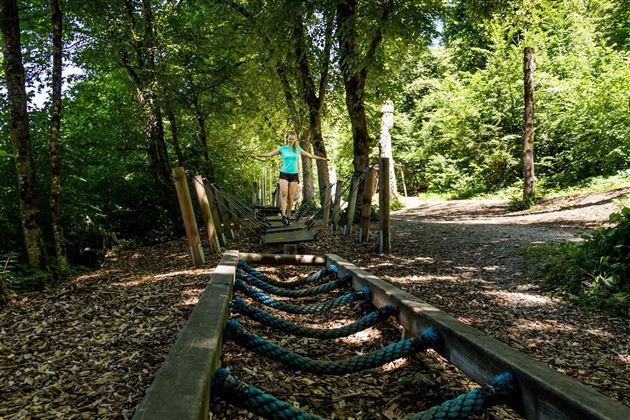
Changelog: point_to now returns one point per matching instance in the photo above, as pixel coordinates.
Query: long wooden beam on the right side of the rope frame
(544, 393)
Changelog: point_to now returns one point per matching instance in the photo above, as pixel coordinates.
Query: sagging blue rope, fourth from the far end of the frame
(240, 306)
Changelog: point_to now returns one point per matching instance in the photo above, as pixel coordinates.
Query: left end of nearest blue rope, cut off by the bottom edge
(253, 399)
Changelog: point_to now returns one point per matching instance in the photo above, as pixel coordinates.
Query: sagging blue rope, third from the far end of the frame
(301, 309)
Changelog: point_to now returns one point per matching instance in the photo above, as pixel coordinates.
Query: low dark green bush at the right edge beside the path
(595, 273)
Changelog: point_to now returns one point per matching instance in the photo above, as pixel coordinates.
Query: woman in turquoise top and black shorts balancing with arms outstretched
(289, 179)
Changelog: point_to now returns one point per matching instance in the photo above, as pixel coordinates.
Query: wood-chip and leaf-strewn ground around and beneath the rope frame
(90, 348)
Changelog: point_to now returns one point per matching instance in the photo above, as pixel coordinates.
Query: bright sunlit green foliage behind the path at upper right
(463, 130)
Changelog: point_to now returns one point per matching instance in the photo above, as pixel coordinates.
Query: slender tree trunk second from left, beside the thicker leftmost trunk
(55, 136)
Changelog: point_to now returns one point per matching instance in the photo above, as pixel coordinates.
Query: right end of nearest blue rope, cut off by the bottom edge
(472, 402)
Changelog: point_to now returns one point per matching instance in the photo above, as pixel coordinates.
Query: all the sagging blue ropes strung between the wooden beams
(225, 386)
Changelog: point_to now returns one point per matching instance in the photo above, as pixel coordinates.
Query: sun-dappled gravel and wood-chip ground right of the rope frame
(464, 257)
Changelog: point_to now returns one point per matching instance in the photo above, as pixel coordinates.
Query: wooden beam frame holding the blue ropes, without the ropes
(181, 388)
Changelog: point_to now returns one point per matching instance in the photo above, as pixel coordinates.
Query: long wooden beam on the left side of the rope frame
(181, 388)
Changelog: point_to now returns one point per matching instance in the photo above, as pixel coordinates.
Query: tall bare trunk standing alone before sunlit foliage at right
(529, 65)
